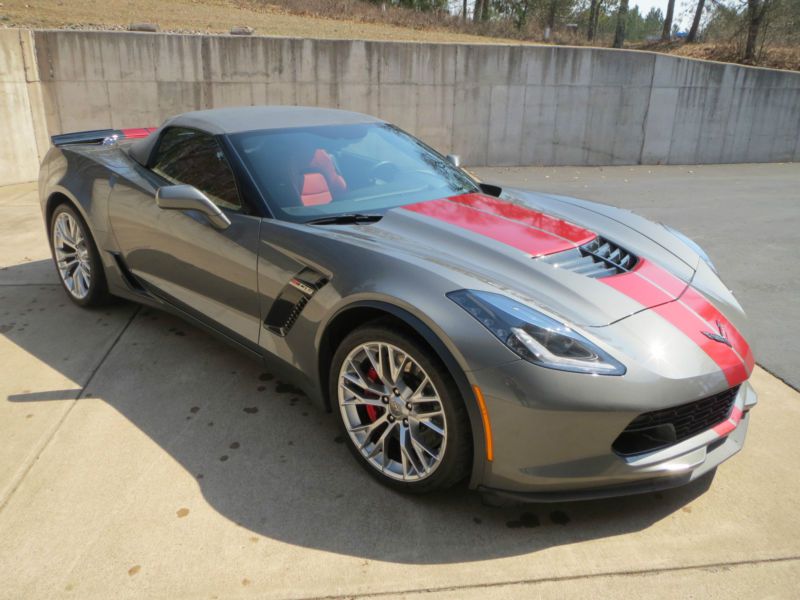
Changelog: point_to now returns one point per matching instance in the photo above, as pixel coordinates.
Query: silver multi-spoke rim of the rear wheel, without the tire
(72, 255)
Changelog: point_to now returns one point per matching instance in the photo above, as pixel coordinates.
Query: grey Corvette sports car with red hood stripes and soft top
(547, 348)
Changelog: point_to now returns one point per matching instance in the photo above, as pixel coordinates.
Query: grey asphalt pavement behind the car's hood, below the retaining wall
(747, 217)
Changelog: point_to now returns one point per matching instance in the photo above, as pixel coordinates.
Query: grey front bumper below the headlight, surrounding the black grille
(556, 447)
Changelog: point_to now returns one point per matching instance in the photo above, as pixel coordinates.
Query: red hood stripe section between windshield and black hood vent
(518, 235)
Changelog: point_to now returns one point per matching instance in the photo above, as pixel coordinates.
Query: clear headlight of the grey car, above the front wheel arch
(534, 336)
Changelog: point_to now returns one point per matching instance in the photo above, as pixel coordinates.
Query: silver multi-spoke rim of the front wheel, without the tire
(392, 411)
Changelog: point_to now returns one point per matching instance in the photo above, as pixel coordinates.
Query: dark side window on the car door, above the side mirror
(195, 158)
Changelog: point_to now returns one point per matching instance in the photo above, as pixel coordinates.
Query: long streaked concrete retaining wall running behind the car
(494, 105)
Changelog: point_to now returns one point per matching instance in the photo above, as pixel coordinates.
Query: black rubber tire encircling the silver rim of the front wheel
(455, 463)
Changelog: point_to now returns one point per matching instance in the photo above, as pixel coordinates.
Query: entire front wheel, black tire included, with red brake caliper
(401, 411)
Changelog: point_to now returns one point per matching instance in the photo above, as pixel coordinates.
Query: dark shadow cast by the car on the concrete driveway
(269, 461)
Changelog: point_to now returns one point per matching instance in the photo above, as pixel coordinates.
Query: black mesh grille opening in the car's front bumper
(661, 428)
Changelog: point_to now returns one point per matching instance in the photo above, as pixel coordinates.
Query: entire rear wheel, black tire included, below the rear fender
(76, 257)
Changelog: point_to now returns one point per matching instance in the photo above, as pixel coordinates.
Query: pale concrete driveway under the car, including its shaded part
(141, 458)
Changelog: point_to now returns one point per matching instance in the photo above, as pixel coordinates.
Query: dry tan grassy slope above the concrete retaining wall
(310, 19)
